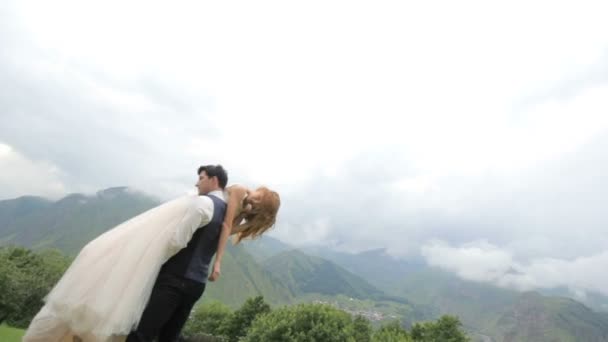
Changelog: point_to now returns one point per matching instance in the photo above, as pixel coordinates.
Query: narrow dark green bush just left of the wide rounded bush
(242, 318)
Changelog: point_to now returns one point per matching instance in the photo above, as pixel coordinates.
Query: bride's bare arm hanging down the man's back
(236, 195)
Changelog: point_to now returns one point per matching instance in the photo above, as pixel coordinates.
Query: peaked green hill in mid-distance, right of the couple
(302, 273)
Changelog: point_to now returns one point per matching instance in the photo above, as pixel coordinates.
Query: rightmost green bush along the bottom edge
(446, 328)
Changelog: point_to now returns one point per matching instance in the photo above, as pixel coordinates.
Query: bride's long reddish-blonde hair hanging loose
(262, 216)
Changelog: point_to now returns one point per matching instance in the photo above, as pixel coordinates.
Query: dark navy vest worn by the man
(193, 261)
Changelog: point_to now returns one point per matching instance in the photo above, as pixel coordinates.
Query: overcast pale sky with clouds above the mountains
(471, 133)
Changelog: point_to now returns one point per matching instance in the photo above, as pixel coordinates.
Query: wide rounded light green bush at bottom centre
(304, 322)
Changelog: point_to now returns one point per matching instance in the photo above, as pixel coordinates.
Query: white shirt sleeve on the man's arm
(198, 213)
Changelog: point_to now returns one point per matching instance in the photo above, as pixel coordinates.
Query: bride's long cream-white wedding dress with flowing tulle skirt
(103, 293)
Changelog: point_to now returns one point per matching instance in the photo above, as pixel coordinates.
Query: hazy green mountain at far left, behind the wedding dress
(68, 224)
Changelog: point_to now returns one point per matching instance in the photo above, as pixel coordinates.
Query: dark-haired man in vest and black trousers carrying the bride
(182, 279)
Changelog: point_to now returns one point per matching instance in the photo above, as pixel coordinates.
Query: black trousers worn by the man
(168, 309)
